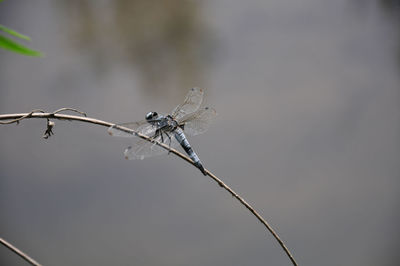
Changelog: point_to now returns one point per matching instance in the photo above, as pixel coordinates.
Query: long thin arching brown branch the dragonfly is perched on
(15, 118)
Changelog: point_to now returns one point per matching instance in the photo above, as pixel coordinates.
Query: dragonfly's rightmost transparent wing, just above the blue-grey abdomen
(198, 122)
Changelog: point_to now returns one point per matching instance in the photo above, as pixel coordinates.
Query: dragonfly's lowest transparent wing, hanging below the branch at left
(143, 148)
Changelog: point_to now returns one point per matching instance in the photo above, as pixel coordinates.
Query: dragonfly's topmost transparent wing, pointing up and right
(191, 104)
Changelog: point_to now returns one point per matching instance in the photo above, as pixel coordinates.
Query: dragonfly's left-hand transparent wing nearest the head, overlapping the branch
(142, 127)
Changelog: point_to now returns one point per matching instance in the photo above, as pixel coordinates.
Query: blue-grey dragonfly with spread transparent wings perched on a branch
(188, 118)
